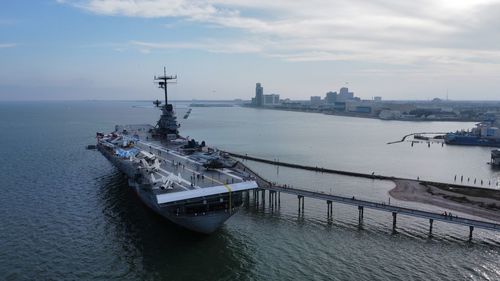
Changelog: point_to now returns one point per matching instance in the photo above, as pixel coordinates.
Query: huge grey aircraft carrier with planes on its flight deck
(181, 179)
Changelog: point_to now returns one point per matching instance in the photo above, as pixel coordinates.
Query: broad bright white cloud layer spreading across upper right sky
(425, 32)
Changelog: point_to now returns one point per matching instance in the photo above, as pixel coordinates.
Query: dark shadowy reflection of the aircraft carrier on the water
(155, 249)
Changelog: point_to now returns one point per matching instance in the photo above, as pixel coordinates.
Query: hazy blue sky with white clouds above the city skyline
(110, 49)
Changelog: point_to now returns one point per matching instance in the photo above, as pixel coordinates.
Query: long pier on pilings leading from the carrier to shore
(275, 190)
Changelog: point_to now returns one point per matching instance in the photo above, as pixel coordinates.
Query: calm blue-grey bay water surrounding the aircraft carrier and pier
(68, 214)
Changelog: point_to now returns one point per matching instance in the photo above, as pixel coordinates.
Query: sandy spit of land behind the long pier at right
(484, 203)
